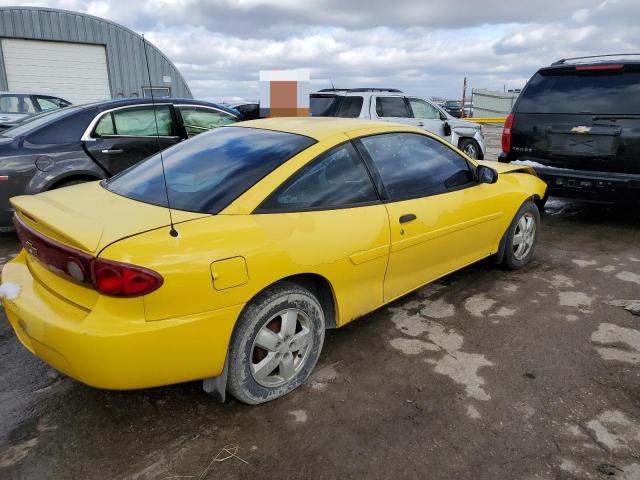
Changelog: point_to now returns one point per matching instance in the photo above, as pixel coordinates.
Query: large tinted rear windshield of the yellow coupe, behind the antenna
(209, 171)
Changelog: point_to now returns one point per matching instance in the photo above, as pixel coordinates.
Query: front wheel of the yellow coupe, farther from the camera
(522, 236)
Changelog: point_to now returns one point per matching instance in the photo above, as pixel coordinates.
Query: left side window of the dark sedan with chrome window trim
(141, 122)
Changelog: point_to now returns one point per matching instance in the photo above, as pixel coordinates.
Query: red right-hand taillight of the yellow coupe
(123, 280)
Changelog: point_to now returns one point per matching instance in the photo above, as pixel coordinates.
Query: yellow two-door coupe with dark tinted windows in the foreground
(282, 228)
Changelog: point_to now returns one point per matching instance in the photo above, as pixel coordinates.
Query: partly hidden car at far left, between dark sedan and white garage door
(17, 106)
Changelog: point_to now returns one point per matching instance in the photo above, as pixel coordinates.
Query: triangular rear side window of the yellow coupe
(336, 179)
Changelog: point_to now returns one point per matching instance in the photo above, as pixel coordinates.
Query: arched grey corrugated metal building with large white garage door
(79, 57)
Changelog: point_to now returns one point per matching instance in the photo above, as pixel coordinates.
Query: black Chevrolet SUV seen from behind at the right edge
(577, 122)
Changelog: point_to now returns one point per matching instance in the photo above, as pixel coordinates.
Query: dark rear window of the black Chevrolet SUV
(569, 91)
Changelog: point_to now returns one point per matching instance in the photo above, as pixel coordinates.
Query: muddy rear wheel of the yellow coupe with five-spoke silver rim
(276, 343)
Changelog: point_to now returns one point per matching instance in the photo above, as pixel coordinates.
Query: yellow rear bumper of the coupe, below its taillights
(115, 353)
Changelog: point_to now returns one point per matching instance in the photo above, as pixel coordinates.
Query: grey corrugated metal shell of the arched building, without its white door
(125, 50)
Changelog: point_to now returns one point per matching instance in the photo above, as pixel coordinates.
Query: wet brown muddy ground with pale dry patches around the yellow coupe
(486, 374)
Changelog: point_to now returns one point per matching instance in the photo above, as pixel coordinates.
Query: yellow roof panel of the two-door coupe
(317, 128)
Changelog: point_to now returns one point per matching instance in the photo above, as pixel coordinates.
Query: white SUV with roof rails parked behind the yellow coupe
(388, 104)
